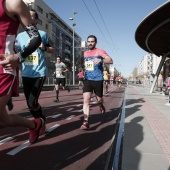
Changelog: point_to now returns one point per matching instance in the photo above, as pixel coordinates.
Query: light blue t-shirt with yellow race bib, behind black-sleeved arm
(35, 64)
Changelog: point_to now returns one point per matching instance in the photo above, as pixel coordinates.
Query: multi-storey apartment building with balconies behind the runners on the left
(60, 33)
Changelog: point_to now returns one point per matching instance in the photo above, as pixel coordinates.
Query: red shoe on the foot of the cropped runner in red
(34, 134)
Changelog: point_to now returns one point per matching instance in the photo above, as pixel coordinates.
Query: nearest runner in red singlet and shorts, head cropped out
(12, 13)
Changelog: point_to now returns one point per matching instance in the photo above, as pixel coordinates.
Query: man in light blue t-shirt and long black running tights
(34, 69)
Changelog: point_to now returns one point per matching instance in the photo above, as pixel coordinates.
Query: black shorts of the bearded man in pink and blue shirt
(96, 86)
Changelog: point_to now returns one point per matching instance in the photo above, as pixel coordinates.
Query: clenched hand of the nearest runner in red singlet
(9, 61)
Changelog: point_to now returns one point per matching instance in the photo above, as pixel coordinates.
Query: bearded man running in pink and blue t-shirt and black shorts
(93, 61)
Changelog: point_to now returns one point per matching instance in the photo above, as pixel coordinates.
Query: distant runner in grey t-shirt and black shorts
(60, 68)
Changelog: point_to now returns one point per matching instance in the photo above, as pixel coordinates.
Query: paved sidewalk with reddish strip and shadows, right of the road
(146, 143)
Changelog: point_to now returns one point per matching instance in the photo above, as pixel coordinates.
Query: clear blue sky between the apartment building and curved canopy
(113, 22)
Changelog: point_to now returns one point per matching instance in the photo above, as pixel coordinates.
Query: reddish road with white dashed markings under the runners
(64, 145)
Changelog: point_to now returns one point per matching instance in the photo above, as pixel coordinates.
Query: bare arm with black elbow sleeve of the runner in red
(18, 10)
